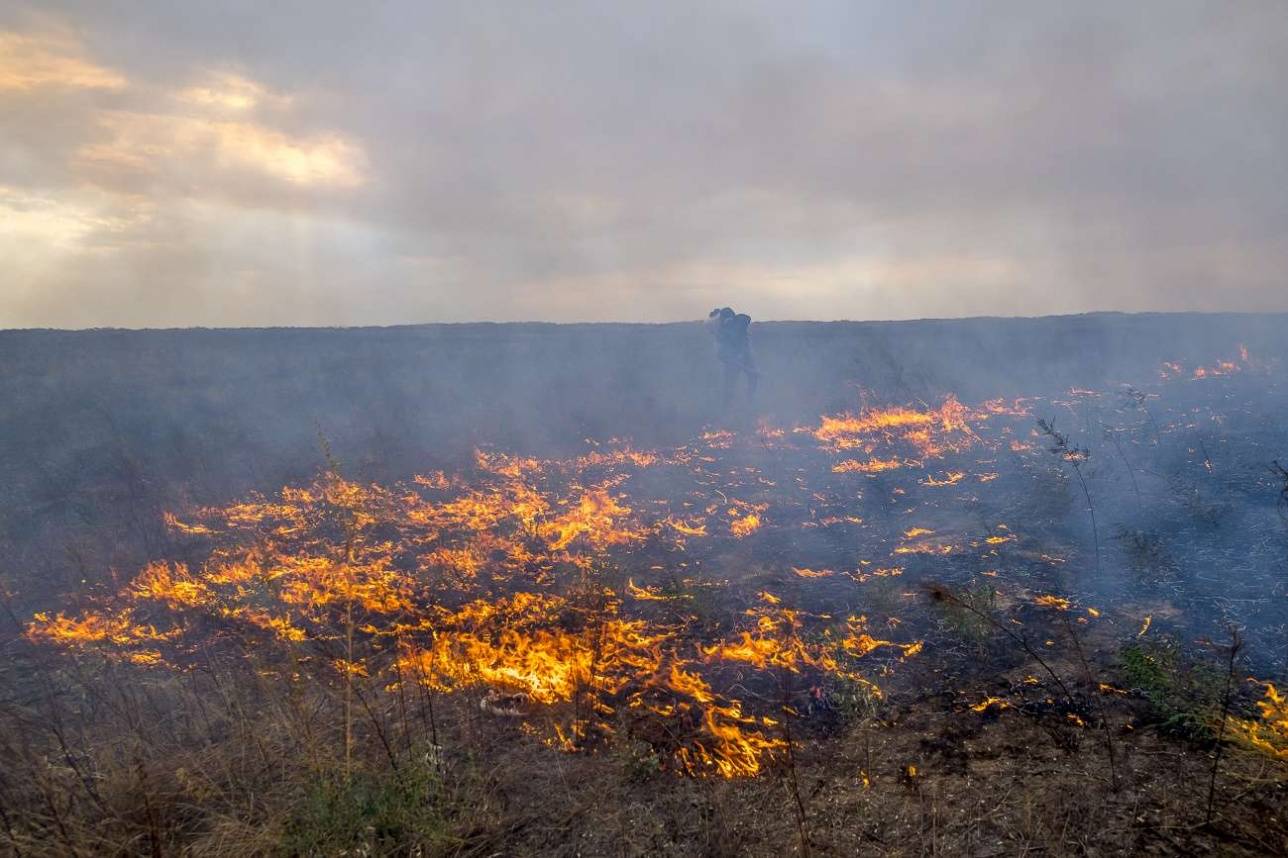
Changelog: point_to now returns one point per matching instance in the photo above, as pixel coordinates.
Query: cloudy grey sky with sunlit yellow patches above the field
(336, 163)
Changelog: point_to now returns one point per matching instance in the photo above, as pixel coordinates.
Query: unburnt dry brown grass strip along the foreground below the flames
(230, 762)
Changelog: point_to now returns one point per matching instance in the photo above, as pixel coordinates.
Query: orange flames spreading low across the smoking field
(556, 589)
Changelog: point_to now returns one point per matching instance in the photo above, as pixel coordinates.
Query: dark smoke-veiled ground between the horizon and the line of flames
(102, 431)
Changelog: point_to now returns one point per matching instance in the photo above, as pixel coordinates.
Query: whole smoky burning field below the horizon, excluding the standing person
(989, 587)
